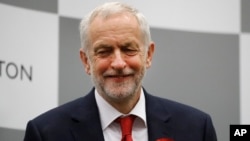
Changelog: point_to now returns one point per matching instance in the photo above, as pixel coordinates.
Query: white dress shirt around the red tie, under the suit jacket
(112, 129)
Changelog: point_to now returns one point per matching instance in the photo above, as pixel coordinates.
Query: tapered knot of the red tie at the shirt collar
(126, 124)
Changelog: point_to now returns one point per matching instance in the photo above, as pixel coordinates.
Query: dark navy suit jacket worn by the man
(79, 121)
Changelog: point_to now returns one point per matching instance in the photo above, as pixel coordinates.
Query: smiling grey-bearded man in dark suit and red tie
(116, 51)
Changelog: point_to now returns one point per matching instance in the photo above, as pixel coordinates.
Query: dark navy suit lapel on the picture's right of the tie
(157, 119)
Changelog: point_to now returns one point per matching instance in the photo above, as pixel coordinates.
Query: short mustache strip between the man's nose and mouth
(123, 72)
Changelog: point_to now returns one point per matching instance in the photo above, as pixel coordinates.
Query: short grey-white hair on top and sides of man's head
(108, 9)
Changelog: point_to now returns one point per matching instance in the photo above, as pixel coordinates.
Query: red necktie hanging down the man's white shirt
(126, 124)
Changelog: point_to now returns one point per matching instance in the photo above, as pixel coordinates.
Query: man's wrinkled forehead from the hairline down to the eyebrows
(116, 29)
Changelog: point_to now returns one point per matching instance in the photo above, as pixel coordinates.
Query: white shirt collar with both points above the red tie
(108, 113)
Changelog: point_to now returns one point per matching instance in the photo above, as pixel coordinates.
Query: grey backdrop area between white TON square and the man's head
(73, 81)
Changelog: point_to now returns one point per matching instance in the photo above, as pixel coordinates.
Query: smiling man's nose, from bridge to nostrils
(118, 61)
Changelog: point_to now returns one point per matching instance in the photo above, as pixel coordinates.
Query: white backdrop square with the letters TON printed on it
(29, 39)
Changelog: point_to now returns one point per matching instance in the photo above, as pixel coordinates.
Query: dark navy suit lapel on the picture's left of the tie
(86, 121)
